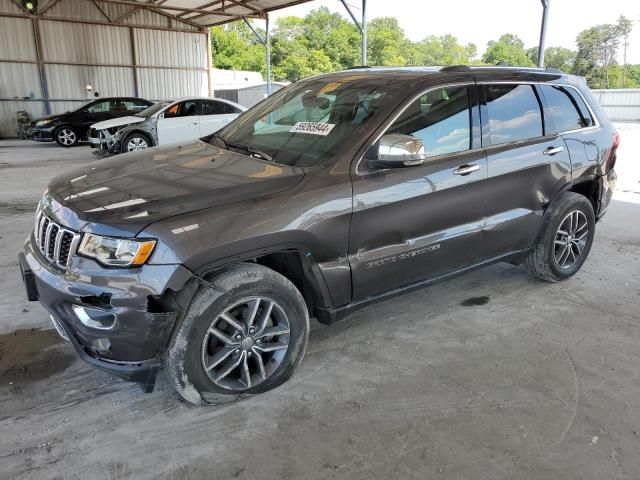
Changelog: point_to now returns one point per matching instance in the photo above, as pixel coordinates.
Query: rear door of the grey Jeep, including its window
(528, 165)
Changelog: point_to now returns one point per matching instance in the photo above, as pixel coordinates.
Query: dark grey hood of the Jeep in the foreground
(124, 194)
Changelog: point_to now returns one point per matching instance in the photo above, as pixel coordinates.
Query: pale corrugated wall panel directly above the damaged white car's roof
(161, 84)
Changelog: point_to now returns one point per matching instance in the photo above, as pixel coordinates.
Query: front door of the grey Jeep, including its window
(414, 223)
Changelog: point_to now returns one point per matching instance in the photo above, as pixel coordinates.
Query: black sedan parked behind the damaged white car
(68, 128)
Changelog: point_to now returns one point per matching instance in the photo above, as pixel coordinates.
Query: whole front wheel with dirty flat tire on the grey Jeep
(244, 334)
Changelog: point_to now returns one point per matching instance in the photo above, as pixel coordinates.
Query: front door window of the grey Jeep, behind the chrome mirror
(441, 118)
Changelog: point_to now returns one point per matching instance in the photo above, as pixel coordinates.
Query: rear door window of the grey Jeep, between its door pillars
(514, 113)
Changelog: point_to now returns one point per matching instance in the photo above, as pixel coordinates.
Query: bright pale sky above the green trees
(478, 21)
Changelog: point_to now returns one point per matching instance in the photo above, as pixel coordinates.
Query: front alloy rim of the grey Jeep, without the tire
(246, 343)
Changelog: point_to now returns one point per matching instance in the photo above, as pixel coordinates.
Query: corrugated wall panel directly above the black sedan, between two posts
(69, 82)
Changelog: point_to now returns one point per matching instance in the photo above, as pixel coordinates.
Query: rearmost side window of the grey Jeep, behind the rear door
(566, 108)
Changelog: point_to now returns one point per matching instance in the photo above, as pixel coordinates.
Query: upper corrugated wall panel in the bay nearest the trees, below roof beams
(157, 48)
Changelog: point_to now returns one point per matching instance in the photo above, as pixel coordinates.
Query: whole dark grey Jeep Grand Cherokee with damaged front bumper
(208, 257)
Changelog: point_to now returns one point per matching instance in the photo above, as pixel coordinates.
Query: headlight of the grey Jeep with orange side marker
(116, 252)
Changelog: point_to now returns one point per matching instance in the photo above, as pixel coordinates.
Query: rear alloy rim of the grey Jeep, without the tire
(571, 239)
